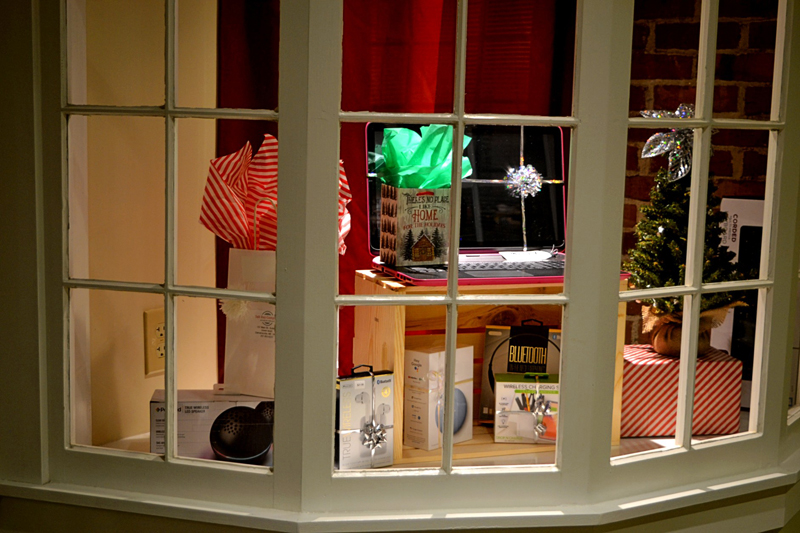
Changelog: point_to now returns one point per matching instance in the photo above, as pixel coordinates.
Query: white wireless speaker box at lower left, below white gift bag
(197, 410)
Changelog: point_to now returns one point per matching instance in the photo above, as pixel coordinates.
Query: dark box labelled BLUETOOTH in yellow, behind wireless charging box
(512, 349)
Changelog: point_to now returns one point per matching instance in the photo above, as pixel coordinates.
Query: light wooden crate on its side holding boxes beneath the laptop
(382, 334)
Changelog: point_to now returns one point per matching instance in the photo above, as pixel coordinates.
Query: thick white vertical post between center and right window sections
(596, 195)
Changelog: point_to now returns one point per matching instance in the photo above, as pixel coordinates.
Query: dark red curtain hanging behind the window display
(398, 57)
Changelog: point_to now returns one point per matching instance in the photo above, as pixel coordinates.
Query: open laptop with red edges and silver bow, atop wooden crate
(491, 239)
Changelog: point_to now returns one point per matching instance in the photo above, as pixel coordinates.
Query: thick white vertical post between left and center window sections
(306, 324)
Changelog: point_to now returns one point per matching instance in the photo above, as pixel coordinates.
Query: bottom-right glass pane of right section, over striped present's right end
(726, 362)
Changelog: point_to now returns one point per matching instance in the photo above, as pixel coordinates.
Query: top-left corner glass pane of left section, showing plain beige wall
(116, 52)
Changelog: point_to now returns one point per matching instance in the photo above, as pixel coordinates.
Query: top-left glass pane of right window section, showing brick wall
(664, 61)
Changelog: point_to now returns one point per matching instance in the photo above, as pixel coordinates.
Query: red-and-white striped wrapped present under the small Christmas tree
(650, 393)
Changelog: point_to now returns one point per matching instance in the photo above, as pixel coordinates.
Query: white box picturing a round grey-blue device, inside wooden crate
(423, 416)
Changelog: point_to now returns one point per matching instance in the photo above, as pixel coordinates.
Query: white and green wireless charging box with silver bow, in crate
(526, 408)
